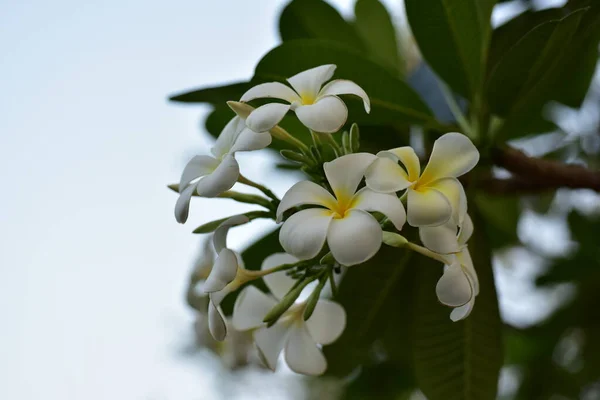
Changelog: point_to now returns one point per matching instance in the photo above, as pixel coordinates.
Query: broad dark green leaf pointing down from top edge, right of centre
(453, 37)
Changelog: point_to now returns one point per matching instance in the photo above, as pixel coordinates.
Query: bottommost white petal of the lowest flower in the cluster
(302, 354)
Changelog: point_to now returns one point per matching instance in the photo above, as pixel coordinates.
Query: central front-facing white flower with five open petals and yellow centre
(353, 235)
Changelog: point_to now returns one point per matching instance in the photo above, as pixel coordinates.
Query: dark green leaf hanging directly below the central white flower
(368, 293)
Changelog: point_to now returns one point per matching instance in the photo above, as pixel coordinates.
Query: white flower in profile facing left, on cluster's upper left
(209, 176)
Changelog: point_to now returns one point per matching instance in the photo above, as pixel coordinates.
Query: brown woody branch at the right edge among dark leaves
(540, 173)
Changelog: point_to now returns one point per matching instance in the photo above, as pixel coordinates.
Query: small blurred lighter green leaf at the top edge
(375, 27)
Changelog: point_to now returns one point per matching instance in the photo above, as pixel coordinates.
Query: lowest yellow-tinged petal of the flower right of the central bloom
(427, 207)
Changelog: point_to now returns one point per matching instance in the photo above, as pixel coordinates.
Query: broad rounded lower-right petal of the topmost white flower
(327, 115)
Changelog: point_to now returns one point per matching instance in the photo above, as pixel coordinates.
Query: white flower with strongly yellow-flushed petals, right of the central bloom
(435, 195)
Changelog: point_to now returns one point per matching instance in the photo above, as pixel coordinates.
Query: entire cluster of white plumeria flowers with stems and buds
(352, 204)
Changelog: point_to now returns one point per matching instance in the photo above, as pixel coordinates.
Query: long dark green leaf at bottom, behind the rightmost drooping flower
(458, 360)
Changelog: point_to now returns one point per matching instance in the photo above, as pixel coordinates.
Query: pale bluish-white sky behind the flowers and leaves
(92, 262)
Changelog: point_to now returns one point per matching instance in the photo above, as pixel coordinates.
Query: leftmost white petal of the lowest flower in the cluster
(250, 308)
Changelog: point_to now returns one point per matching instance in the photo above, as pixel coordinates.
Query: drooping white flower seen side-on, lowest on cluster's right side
(459, 284)
